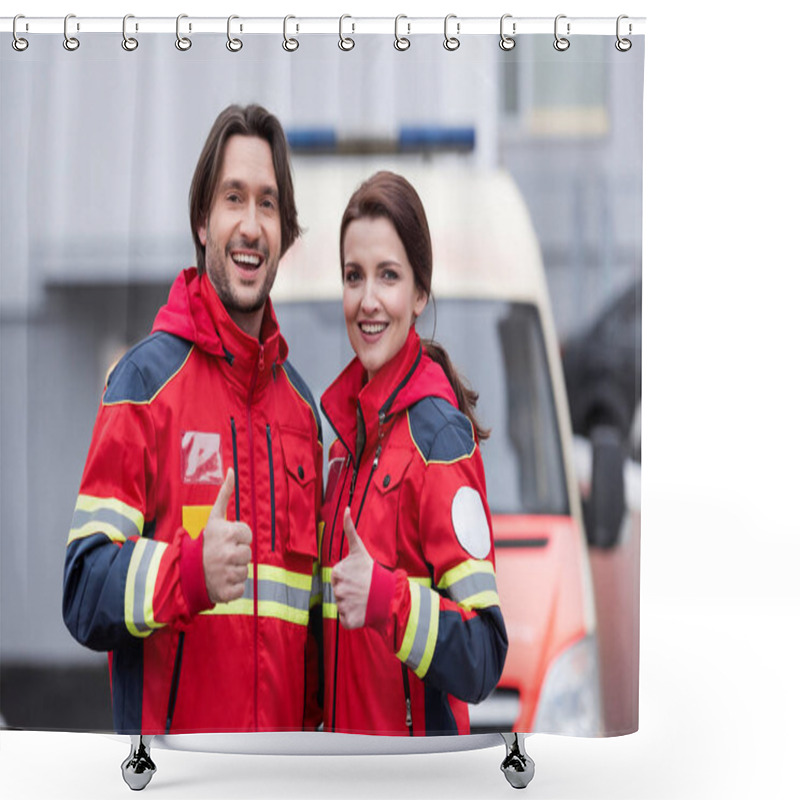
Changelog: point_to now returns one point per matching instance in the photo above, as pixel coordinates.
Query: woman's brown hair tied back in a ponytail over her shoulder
(389, 195)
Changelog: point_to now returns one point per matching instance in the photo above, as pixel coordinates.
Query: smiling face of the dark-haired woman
(381, 300)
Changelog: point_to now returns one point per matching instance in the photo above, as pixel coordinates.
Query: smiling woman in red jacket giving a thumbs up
(412, 623)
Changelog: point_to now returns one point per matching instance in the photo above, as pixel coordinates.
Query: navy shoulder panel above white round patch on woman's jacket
(440, 431)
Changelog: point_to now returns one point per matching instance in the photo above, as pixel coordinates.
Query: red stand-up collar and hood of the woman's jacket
(408, 377)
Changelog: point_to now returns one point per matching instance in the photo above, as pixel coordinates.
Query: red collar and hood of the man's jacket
(195, 312)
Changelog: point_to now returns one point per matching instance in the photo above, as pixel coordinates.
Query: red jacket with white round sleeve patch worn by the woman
(407, 463)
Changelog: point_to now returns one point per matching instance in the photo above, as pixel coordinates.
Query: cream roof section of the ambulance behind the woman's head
(480, 227)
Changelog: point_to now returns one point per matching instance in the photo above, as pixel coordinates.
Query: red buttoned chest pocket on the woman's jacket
(383, 508)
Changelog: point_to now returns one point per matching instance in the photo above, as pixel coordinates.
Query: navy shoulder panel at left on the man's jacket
(146, 368)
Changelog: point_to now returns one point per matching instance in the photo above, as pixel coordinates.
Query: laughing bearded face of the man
(242, 233)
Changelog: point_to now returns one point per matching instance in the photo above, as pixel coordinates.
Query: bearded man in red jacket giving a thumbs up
(193, 541)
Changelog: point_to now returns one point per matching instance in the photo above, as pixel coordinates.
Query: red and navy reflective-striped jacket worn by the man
(194, 398)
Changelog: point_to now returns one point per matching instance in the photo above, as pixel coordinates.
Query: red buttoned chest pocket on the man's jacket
(301, 496)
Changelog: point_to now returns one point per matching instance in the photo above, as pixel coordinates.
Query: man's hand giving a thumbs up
(226, 549)
